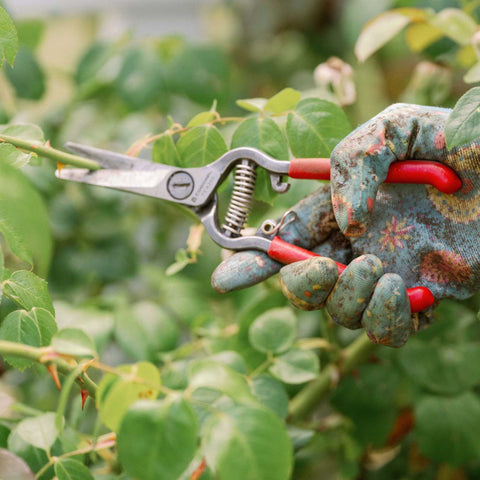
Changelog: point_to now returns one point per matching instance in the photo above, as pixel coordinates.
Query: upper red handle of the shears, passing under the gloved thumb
(440, 176)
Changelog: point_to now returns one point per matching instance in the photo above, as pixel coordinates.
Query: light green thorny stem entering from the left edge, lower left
(37, 354)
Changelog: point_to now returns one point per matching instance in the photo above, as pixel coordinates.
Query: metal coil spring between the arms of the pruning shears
(242, 198)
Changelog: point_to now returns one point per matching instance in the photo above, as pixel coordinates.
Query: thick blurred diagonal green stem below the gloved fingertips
(307, 399)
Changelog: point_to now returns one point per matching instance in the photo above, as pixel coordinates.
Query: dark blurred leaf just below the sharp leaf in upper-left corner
(26, 77)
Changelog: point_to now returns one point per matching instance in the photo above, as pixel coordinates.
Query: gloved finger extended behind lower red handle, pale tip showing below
(314, 228)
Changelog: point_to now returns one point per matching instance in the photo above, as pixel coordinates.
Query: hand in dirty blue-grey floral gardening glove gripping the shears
(420, 236)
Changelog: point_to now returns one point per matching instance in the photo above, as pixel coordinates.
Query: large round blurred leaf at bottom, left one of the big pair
(158, 440)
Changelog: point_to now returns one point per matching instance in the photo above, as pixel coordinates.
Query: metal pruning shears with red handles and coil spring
(195, 188)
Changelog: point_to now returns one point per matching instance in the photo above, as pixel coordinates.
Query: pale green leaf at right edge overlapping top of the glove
(463, 123)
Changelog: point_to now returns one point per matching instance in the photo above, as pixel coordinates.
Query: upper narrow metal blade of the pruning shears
(112, 160)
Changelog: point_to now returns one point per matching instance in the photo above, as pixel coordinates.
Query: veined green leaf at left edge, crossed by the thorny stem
(34, 328)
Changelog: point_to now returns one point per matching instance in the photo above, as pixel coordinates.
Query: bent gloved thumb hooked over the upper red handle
(360, 162)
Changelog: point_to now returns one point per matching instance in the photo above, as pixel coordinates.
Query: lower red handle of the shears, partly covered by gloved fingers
(420, 297)
